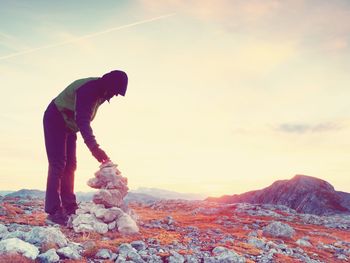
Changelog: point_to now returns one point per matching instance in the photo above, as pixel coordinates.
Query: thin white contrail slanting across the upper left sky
(85, 36)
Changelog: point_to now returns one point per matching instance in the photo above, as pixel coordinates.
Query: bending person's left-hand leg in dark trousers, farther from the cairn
(55, 142)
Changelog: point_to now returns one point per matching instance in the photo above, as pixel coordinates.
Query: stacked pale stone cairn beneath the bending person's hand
(107, 211)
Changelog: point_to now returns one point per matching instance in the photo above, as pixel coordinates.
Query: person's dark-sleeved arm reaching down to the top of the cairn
(86, 99)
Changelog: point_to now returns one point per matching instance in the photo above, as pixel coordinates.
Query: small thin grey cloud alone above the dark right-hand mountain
(302, 128)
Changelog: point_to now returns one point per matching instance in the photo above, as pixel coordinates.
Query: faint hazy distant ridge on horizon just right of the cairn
(166, 194)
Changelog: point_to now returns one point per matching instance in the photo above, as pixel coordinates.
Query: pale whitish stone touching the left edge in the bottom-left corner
(15, 245)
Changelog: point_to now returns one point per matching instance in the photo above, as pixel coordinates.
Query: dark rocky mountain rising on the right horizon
(305, 194)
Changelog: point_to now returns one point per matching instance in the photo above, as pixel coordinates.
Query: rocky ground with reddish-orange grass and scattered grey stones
(179, 231)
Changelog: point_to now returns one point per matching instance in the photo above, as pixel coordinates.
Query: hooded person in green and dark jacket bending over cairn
(72, 111)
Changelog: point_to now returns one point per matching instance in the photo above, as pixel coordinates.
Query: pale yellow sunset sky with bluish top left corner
(224, 96)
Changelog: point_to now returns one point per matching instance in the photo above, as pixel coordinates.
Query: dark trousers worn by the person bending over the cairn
(61, 154)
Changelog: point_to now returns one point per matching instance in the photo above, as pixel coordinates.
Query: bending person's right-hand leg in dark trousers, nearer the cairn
(67, 183)
